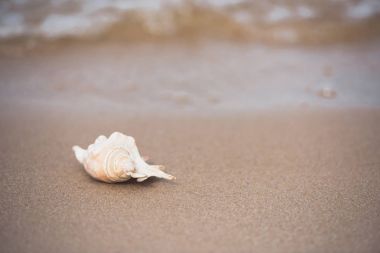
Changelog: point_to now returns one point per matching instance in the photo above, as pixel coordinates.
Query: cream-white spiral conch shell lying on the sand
(117, 159)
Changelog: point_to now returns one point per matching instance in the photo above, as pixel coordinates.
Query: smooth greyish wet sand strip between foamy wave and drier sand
(205, 77)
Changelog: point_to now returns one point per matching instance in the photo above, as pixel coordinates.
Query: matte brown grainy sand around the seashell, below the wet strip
(301, 181)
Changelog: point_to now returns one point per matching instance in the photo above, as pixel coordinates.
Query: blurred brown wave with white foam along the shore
(286, 23)
